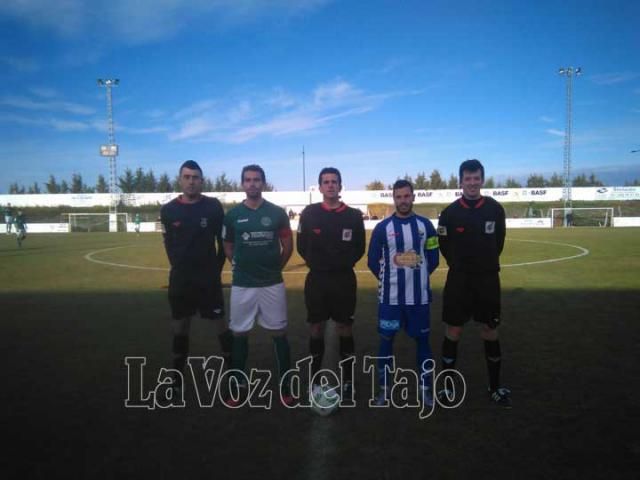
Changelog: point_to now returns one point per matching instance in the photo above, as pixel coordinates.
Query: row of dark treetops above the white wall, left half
(129, 182)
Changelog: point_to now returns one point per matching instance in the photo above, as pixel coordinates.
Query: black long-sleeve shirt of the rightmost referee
(471, 234)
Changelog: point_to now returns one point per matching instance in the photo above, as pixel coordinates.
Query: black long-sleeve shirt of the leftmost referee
(193, 237)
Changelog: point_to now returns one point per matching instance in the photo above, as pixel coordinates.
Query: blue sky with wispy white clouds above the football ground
(376, 88)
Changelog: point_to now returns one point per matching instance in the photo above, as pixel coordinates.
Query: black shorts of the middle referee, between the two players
(330, 295)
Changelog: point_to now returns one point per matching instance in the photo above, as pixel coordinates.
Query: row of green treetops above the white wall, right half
(435, 182)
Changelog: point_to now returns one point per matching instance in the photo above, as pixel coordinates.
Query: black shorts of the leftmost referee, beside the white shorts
(190, 295)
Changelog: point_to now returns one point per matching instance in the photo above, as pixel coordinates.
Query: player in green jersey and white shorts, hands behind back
(258, 243)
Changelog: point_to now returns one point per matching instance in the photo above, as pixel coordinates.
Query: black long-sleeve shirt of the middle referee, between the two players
(331, 240)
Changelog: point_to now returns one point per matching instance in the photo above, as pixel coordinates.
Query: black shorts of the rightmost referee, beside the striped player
(470, 296)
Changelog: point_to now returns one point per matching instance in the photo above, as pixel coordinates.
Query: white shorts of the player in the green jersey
(266, 304)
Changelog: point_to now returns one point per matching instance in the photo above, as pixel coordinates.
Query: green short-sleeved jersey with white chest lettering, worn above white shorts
(256, 235)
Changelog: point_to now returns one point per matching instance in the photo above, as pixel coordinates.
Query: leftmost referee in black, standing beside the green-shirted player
(192, 231)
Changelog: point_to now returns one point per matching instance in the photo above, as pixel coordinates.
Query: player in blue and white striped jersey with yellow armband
(403, 252)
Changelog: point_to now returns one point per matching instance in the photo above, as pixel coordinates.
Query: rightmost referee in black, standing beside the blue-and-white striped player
(471, 235)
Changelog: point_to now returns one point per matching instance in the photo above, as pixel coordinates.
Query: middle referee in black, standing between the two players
(331, 240)
